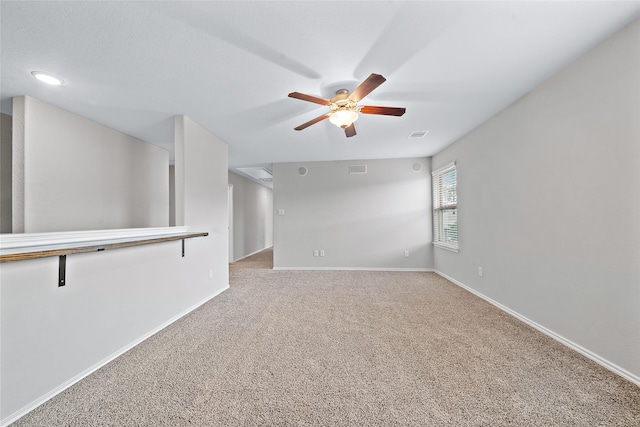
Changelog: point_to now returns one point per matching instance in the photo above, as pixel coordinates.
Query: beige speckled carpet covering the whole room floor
(345, 348)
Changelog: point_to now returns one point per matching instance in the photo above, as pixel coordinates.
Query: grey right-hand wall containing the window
(549, 205)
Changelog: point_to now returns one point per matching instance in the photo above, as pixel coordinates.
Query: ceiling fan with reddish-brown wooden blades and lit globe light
(344, 106)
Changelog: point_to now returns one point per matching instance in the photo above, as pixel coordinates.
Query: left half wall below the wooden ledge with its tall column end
(52, 336)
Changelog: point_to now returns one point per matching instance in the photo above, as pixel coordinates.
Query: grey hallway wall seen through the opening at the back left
(252, 216)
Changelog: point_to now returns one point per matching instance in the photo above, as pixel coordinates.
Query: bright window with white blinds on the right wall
(445, 208)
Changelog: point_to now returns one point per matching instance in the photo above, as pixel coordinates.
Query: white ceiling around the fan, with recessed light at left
(133, 65)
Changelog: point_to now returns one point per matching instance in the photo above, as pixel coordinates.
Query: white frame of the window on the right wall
(440, 207)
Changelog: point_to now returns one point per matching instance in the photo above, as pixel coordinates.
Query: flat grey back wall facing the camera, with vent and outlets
(361, 221)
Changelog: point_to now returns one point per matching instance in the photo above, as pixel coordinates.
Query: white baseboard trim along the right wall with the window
(576, 347)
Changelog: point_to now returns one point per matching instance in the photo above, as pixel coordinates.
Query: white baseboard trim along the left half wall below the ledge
(33, 405)
